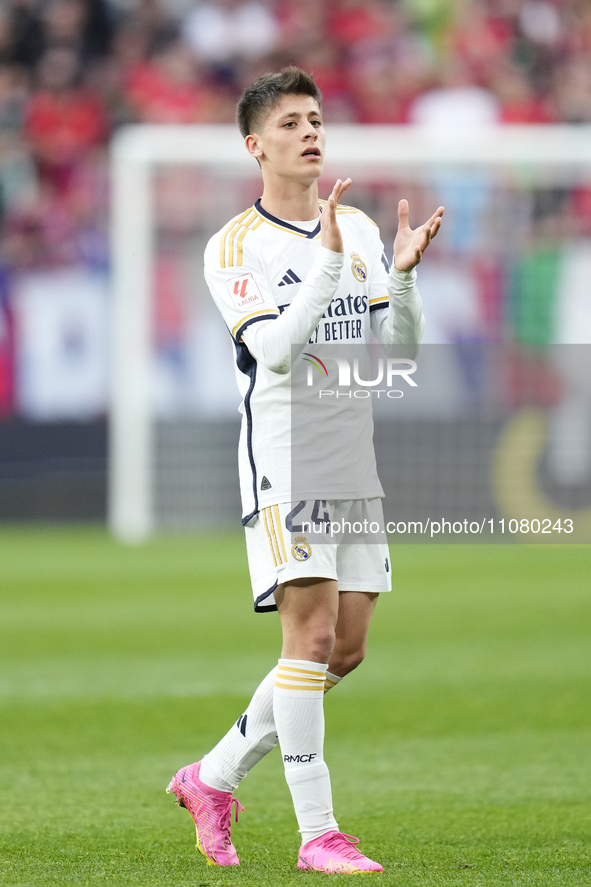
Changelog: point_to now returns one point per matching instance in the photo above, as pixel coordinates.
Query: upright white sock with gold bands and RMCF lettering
(299, 720)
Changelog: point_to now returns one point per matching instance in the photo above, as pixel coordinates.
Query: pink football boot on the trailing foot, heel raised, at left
(211, 811)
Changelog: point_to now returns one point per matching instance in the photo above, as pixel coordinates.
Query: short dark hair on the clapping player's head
(262, 95)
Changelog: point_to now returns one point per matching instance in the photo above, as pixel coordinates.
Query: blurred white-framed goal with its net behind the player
(502, 430)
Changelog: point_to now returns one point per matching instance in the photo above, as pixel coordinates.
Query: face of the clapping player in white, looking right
(292, 142)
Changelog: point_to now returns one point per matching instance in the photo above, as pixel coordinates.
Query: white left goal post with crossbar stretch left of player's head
(136, 152)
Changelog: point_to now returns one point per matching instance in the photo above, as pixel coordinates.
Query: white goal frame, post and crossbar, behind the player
(136, 152)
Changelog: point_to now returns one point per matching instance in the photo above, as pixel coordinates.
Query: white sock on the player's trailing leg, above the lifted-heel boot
(250, 739)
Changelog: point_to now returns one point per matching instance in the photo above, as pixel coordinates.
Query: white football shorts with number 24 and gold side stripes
(316, 538)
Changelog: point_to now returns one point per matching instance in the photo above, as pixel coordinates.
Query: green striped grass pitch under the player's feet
(460, 751)
